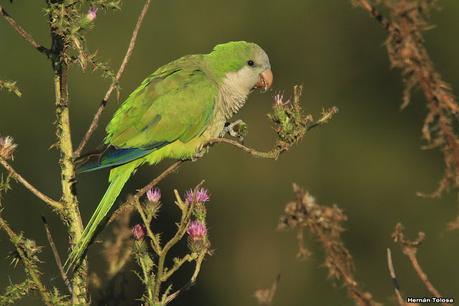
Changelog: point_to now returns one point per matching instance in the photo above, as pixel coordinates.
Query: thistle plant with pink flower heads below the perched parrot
(151, 255)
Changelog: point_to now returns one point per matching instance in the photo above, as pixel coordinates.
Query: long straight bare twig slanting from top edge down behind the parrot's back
(127, 56)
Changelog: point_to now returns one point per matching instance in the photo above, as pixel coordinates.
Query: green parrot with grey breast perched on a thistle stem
(172, 114)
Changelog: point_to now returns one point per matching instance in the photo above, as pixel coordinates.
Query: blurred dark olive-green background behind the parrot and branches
(367, 159)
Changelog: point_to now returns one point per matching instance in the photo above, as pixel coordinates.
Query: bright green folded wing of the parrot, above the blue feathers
(174, 103)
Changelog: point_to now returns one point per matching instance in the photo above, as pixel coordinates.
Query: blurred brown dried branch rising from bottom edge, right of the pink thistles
(325, 224)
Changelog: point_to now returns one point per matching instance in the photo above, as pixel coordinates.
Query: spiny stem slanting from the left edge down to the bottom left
(30, 268)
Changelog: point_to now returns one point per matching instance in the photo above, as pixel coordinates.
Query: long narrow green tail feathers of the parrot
(118, 177)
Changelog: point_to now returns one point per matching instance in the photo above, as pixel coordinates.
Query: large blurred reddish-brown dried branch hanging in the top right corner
(405, 45)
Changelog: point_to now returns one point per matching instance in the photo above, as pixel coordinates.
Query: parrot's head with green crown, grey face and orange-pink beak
(243, 64)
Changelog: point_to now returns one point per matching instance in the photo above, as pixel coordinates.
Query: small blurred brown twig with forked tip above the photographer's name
(410, 248)
